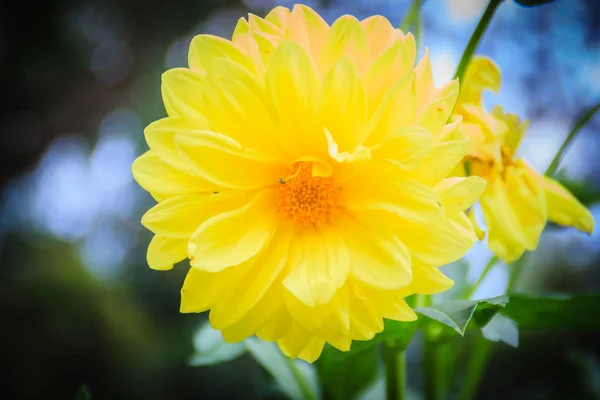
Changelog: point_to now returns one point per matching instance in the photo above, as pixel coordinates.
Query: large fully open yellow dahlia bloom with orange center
(302, 170)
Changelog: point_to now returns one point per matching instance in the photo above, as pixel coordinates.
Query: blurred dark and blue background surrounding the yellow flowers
(78, 304)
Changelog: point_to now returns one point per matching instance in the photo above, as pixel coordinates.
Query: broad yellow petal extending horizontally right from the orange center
(382, 188)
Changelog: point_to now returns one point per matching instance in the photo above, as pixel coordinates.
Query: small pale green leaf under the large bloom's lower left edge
(210, 348)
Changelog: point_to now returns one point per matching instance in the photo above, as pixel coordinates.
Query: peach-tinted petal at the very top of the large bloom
(308, 29)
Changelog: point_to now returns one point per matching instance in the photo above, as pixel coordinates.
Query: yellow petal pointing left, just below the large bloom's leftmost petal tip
(180, 216)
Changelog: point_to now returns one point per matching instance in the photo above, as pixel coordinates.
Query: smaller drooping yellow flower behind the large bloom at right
(518, 201)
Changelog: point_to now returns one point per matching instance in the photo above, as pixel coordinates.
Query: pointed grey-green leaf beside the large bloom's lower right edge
(457, 314)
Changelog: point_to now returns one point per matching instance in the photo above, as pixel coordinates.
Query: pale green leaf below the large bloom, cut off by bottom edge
(297, 379)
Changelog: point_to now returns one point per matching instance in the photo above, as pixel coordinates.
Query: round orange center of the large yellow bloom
(306, 198)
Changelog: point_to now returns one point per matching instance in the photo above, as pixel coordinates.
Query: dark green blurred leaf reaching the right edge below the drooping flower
(557, 311)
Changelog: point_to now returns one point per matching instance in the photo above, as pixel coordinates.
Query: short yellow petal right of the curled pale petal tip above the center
(407, 146)
